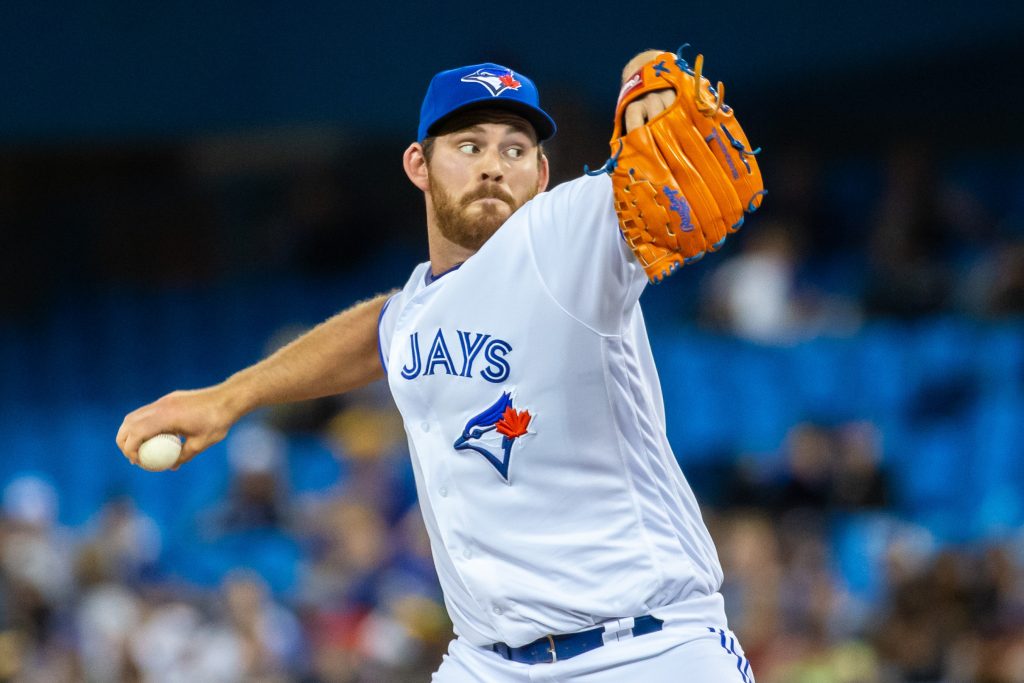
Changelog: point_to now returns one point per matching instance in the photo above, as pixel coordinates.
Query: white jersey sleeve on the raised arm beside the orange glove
(581, 254)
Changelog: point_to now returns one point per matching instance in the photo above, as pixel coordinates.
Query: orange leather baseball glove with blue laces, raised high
(684, 181)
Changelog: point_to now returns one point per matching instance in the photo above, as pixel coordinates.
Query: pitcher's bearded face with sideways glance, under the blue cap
(480, 177)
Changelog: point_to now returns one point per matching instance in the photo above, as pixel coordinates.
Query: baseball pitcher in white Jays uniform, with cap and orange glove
(569, 545)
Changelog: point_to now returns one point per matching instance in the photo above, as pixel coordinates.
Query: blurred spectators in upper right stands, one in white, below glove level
(908, 238)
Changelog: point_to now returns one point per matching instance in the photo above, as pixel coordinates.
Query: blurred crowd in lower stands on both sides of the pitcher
(825, 583)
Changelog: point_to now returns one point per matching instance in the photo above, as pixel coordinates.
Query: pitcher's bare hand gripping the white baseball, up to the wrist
(200, 416)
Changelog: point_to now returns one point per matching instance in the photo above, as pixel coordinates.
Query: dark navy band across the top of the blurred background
(117, 70)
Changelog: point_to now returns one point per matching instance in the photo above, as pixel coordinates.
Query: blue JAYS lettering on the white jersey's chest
(460, 355)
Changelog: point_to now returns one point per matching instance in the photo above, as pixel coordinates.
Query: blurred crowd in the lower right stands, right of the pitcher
(826, 583)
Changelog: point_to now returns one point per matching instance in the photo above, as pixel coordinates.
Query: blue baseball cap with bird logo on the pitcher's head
(483, 87)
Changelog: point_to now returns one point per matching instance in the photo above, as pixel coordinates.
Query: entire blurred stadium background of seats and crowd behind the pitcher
(184, 188)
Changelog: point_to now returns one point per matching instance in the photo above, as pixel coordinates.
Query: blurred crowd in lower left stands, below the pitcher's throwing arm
(334, 584)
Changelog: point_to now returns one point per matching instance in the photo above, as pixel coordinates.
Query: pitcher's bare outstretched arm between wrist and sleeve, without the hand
(338, 356)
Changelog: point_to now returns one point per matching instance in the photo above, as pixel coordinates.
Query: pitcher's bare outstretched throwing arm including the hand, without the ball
(338, 356)
